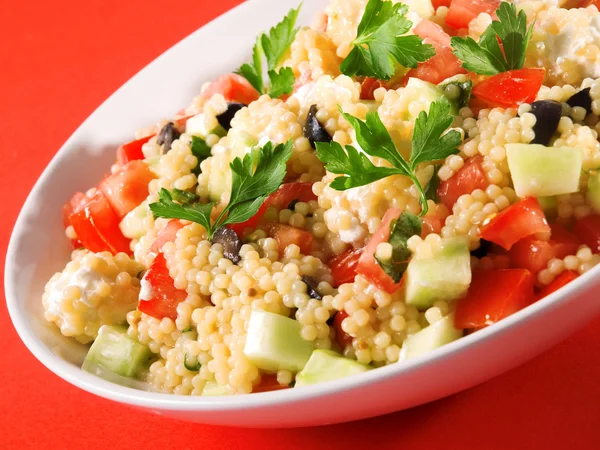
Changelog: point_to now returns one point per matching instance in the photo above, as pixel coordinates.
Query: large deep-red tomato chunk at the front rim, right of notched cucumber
(494, 295)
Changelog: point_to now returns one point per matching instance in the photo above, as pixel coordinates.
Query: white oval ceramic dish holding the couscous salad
(38, 248)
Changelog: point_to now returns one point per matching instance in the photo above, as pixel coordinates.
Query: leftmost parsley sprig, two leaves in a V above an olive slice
(253, 178)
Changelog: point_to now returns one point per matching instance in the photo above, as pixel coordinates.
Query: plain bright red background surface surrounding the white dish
(61, 59)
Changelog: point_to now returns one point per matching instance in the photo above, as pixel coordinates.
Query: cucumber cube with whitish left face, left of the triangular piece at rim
(273, 342)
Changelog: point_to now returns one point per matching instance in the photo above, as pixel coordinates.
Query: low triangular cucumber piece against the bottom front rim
(327, 365)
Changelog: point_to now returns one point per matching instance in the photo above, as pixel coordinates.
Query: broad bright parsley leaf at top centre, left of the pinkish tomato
(381, 39)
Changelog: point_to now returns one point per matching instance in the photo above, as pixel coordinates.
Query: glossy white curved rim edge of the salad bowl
(98, 386)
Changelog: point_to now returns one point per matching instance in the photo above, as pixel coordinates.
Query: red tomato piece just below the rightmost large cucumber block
(516, 222)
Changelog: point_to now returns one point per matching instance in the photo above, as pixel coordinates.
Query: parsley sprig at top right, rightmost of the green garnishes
(487, 57)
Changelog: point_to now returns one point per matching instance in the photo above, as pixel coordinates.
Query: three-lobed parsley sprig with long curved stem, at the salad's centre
(430, 142)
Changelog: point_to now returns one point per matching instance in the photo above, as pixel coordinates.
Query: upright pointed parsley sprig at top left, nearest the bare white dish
(273, 47)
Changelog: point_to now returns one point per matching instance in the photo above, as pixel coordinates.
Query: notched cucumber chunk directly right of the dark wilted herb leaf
(446, 276)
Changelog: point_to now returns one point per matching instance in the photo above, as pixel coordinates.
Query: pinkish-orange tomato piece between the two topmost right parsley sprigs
(444, 64)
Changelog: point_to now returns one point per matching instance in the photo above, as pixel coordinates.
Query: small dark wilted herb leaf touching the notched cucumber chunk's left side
(401, 230)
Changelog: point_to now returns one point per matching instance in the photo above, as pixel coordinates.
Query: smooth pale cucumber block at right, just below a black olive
(540, 171)
